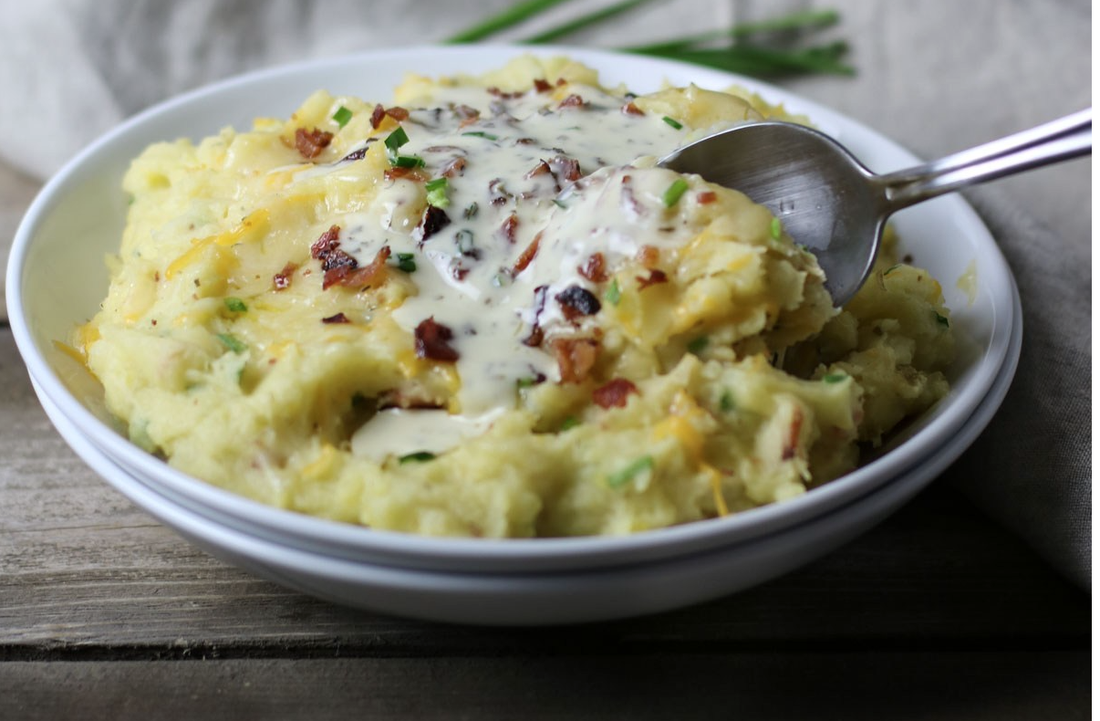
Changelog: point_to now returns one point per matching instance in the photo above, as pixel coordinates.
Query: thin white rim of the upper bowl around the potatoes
(515, 552)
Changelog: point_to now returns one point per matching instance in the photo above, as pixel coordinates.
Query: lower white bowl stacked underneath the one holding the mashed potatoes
(546, 598)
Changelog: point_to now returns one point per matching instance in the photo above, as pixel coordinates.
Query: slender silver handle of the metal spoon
(1059, 140)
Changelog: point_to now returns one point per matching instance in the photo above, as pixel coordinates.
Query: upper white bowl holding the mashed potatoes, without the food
(57, 280)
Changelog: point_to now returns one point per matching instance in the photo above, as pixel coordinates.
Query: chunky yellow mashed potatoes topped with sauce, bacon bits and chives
(482, 310)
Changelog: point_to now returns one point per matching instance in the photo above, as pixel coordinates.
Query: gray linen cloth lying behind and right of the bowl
(73, 69)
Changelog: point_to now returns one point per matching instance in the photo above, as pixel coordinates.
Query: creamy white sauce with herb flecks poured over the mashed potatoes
(465, 270)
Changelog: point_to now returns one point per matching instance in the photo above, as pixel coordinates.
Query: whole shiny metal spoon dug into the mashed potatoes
(833, 205)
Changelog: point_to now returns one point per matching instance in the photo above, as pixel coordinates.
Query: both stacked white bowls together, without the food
(57, 279)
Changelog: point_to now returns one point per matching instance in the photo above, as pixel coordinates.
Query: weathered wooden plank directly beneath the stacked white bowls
(85, 575)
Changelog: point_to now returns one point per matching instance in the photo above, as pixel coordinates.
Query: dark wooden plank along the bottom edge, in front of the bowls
(780, 686)
